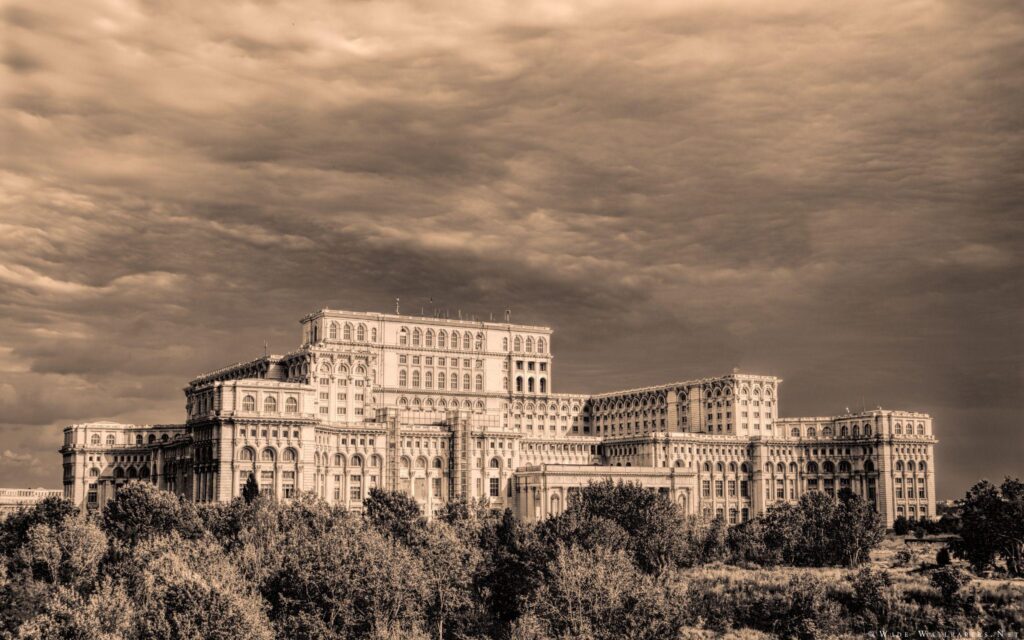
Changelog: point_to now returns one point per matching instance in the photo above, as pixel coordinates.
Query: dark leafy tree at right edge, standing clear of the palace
(993, 527)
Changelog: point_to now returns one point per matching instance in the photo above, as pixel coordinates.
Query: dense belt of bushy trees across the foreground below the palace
(620, 563)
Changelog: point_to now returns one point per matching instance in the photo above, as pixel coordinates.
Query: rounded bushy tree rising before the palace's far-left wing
(141, 511)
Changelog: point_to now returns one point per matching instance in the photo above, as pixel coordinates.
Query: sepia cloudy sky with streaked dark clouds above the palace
(832, 193)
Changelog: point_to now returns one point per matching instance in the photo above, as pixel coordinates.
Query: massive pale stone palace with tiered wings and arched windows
(444, 409)
